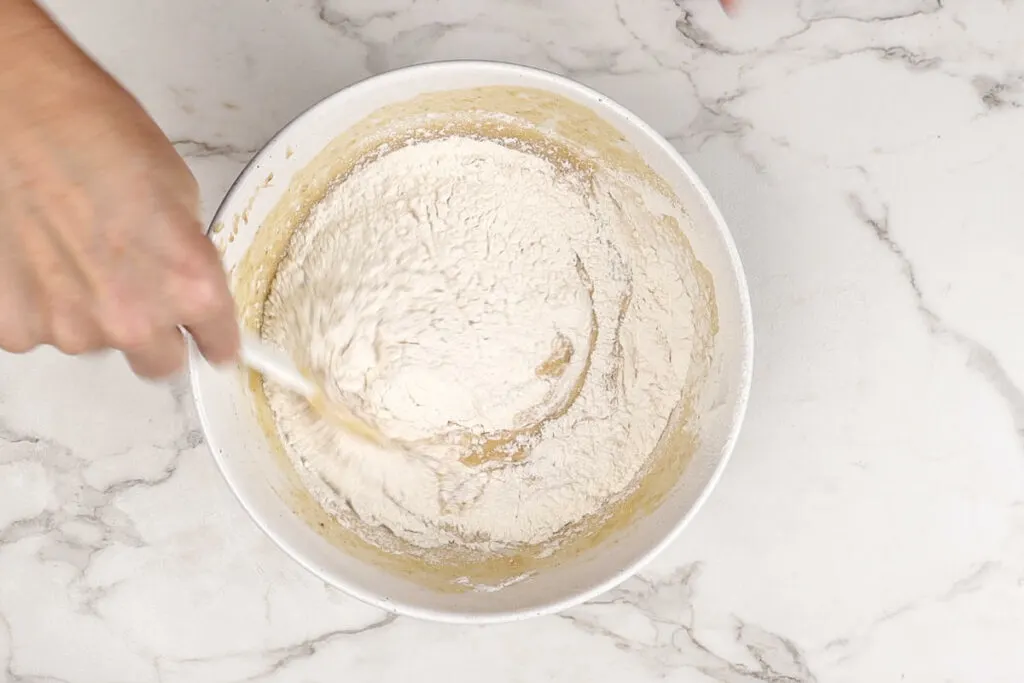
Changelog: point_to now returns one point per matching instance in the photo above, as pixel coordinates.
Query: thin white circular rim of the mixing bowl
(742, 394)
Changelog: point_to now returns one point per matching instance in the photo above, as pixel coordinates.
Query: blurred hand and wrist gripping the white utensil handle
(101, 245)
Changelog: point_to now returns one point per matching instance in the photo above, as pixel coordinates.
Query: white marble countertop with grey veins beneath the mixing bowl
(870, 158)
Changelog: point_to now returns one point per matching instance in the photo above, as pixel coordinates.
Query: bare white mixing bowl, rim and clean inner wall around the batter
(255, 475)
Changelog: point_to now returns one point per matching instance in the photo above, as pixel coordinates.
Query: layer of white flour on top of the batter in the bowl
(525, 332)
